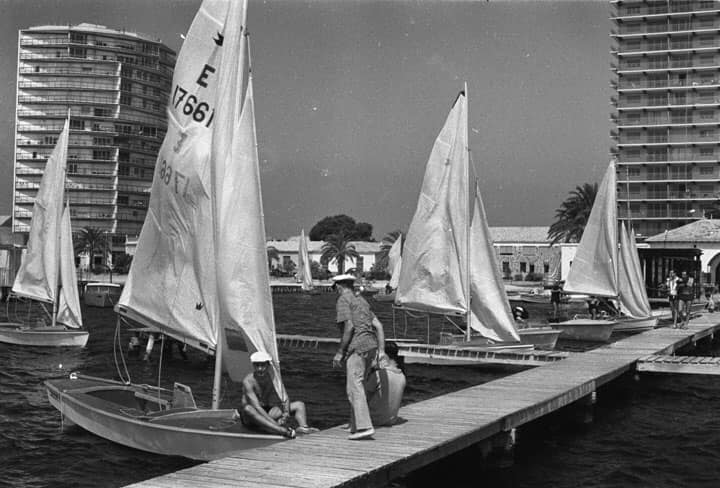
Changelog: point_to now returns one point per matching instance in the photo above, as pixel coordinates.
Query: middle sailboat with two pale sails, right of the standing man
(448, 263)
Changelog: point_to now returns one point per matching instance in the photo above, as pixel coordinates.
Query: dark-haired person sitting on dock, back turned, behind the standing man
(384, 387)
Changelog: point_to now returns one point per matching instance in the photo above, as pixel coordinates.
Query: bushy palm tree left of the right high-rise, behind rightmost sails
(573, 214)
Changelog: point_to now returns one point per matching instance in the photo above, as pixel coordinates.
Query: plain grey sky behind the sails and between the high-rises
(350, 95)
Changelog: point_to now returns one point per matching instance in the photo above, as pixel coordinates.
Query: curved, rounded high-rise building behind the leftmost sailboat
(115, 85)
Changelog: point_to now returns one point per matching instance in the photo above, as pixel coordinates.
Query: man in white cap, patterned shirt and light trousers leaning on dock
(362, 346)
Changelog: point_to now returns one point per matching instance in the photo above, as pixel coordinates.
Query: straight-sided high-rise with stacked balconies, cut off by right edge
(666, 111)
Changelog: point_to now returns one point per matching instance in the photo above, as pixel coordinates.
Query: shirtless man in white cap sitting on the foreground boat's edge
(261, 407)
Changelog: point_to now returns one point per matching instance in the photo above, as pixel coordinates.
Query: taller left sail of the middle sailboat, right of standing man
(432, 277)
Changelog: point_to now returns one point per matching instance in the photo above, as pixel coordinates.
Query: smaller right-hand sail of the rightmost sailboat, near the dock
(633, 295)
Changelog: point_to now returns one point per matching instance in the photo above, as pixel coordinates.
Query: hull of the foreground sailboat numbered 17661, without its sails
(144, 419)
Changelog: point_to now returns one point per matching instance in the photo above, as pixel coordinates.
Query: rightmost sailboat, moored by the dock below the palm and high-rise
(601, 268)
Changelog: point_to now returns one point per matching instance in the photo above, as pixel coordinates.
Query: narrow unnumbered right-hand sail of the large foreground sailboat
(244, 293)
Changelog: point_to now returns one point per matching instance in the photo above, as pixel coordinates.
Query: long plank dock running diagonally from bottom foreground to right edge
(438, 427)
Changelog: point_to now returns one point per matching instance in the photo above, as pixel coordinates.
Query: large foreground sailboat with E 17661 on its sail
(199, 273)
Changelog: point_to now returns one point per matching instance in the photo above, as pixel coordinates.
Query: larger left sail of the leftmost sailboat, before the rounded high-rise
(37, 277)
